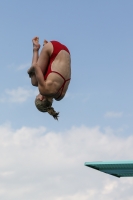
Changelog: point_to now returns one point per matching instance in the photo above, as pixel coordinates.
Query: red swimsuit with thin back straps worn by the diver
(57, 47)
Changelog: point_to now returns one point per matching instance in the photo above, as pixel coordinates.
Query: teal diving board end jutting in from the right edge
(114, 168)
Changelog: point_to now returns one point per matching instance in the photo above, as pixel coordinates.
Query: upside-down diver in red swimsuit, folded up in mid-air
(51, 73)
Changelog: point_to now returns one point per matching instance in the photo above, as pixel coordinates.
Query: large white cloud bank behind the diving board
(37, 164)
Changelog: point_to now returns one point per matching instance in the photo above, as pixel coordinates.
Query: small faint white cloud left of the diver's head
(18, 95)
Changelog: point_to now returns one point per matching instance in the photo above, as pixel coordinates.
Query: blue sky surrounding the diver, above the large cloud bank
(99, 36)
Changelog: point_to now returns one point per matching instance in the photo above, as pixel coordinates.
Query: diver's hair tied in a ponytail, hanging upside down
(45, 106)
